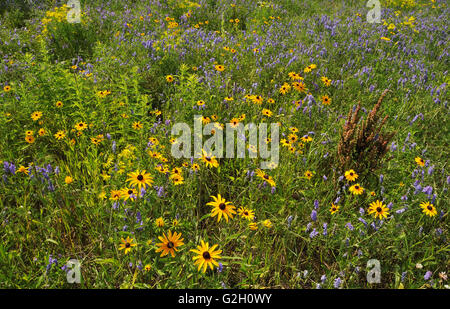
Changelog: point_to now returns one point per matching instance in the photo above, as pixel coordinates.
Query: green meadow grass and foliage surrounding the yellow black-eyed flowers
(43, 217)
